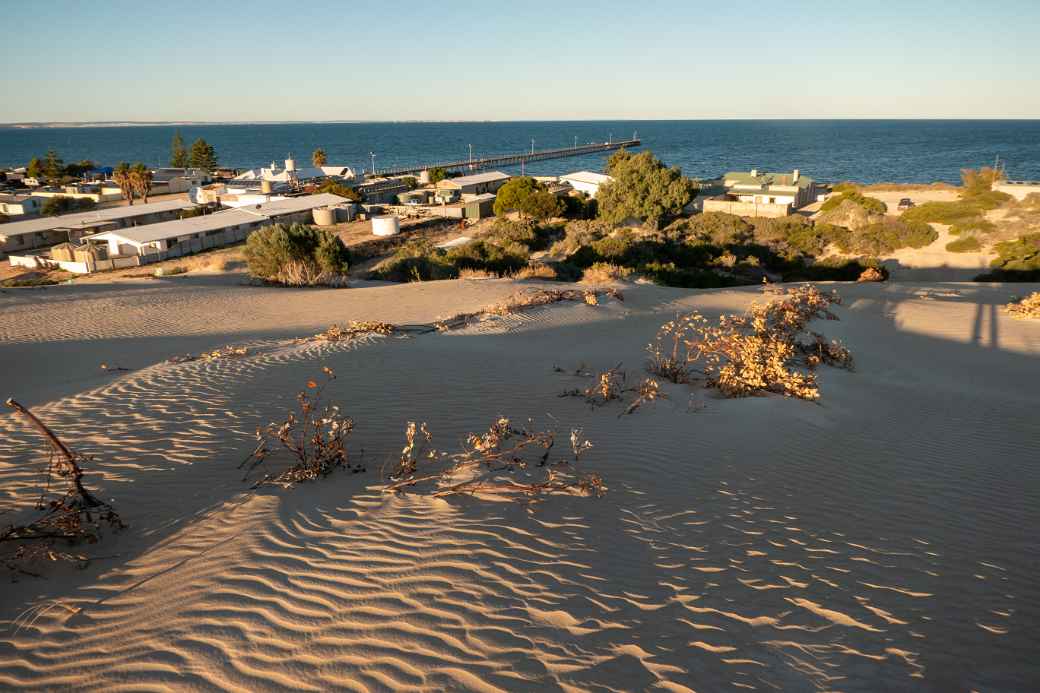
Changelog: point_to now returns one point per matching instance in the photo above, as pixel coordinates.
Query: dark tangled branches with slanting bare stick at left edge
(73, 518)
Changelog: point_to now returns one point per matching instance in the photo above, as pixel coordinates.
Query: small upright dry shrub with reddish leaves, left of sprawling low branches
(315, 437)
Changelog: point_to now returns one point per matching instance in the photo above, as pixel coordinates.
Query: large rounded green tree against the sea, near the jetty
(643, 189)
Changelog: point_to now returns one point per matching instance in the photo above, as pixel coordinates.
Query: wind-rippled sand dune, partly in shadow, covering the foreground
(885, 540)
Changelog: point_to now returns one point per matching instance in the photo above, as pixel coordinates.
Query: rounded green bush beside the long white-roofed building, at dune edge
(297, 255)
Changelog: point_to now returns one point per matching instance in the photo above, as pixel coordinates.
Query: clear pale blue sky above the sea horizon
(308, 60)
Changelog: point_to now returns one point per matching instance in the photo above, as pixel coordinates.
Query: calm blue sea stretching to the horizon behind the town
(867, 151)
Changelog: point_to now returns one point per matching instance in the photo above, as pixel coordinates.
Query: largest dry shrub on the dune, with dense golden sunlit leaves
(756, 353)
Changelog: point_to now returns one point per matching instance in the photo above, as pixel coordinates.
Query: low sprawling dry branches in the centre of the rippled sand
(505, 463)
